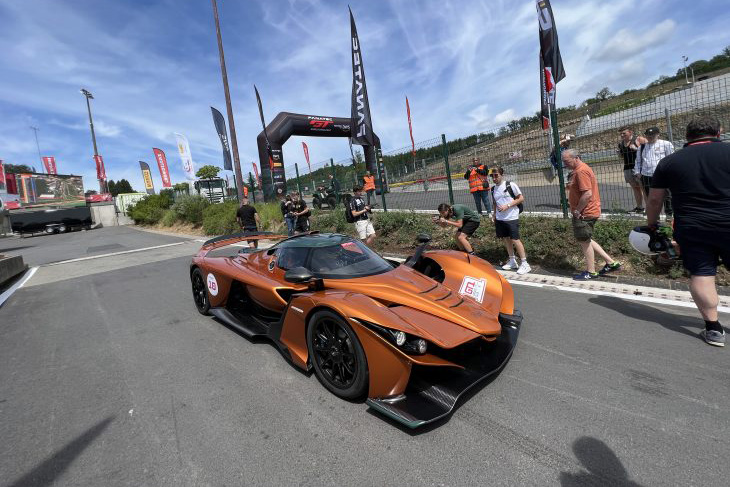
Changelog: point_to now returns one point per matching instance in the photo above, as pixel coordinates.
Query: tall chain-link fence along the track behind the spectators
(435, 172)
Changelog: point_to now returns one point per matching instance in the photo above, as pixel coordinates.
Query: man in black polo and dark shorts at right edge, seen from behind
(698, 177)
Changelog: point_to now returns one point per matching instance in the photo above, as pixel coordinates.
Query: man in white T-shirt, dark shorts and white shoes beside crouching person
(507, 198)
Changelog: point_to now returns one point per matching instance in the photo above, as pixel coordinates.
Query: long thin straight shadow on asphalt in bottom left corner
(53, 467)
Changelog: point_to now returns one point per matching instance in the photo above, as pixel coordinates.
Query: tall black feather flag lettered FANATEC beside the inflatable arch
(361, 127)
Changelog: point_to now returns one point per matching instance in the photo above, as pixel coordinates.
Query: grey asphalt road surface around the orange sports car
(109, 376)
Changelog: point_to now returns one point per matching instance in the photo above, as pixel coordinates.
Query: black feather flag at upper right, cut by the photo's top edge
(551, 63)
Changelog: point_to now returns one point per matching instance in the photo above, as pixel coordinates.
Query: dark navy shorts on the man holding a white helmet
(701, 252)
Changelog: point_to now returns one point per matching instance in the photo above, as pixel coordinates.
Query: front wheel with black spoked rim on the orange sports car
(337, 356)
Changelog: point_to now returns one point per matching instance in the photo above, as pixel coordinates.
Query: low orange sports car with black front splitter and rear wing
(411, 337)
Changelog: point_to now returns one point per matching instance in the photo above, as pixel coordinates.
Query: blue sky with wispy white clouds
(153, 68)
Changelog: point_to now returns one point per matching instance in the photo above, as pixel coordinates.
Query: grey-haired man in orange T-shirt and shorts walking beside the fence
(585, 207)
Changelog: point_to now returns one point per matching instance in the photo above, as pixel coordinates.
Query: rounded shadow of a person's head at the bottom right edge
(602, 466)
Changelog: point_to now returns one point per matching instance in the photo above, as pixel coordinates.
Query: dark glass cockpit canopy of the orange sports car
(330, 256)
